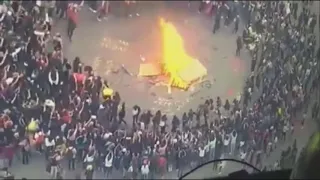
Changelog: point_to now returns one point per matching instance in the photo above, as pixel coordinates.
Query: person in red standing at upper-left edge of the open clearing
(72, 14)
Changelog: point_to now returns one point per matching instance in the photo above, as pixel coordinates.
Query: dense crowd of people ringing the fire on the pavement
(66, 112)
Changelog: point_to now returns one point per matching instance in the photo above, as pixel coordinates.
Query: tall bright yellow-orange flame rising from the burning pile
(177, 64)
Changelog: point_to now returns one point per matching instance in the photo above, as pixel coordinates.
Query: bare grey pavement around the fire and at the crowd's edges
(122, 40)
